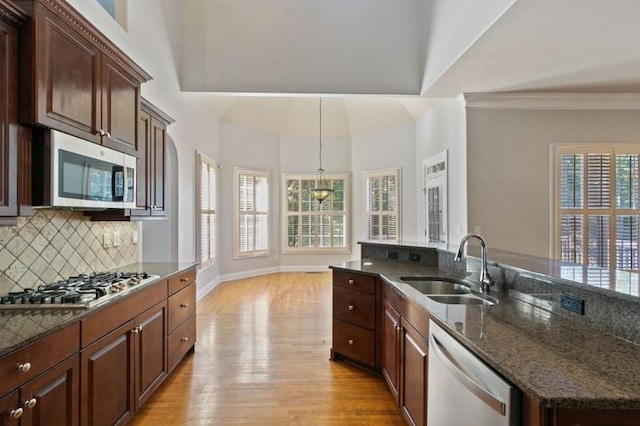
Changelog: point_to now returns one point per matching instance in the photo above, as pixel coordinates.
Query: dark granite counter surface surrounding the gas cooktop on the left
(61, 317)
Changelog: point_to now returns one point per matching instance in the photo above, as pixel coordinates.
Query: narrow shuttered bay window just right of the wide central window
(382, 204)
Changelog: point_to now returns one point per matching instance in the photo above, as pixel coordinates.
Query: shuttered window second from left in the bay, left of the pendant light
(252, 212)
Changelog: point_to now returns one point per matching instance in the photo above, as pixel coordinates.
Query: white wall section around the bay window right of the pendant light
(393, 147)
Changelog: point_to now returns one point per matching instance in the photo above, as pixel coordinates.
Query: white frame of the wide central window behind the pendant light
(285, 213)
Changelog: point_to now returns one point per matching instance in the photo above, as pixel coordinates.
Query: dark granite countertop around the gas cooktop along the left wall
(19, 327)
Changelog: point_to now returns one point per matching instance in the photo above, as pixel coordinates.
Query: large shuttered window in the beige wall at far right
(597, 205)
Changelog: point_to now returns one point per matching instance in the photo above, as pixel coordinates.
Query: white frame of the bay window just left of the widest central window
(254, 173)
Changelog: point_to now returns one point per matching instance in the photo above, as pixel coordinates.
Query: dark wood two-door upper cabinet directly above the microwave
(75, 80)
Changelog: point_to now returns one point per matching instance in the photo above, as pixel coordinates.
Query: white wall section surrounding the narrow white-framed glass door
(441, 129)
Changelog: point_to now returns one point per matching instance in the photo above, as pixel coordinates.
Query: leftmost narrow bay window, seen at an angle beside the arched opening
(206, 208)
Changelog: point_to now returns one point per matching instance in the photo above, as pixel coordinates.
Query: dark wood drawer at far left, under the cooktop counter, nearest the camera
(40, 355)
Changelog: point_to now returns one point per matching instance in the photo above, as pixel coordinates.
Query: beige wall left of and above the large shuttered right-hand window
(508, 173)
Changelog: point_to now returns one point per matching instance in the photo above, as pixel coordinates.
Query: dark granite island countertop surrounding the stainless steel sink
(555, 360)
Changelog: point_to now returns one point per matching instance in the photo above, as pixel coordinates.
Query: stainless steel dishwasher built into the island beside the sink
(463, 390)
